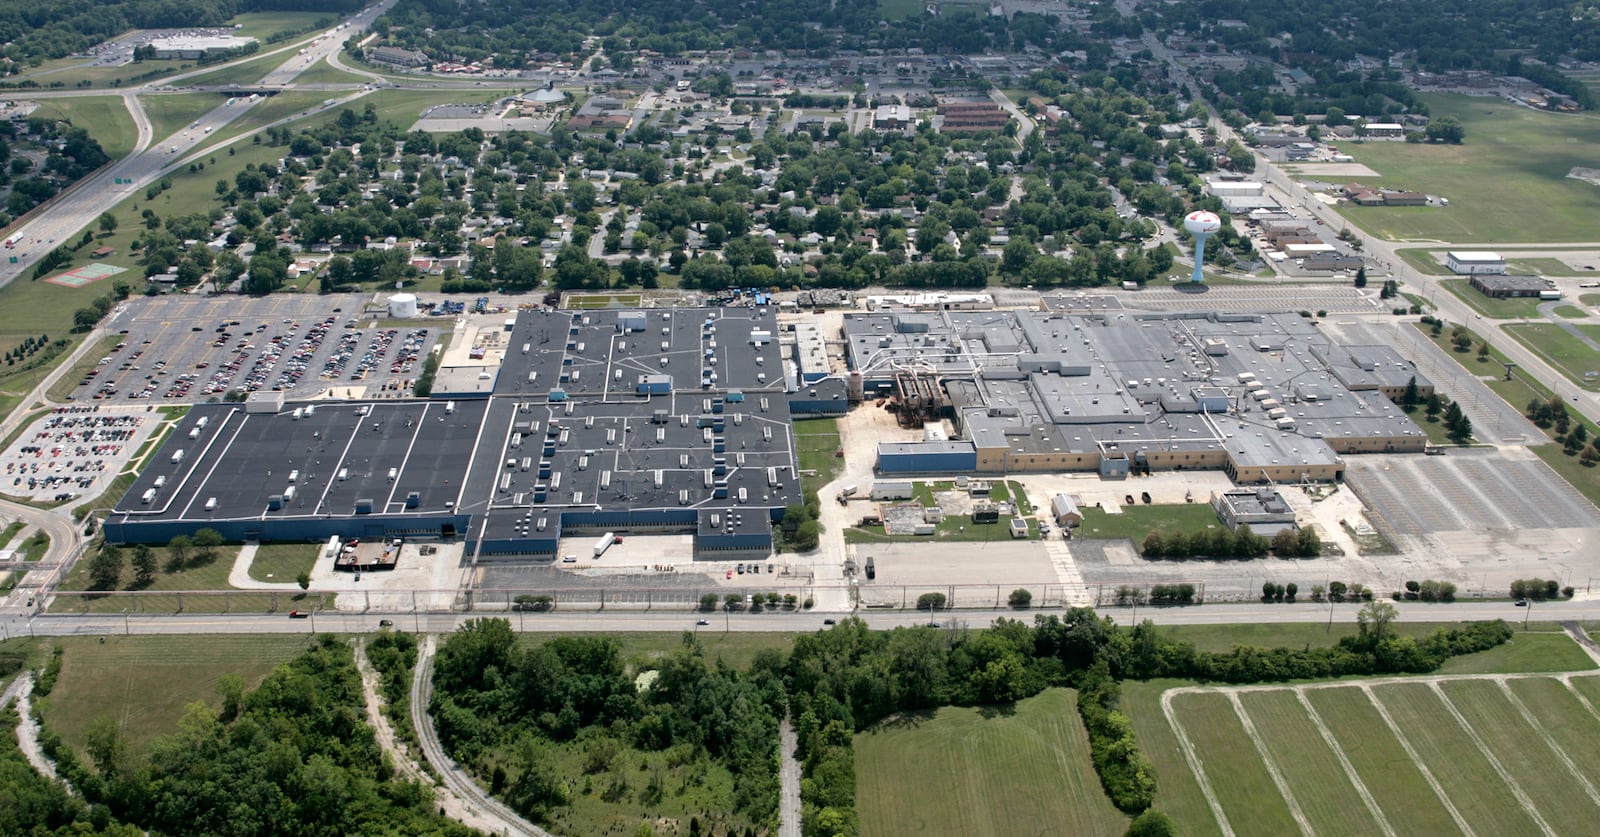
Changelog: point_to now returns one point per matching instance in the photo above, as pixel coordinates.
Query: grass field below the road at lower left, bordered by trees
(145, 683)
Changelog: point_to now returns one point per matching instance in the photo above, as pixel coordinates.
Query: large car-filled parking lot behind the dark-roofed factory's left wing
(196, 350)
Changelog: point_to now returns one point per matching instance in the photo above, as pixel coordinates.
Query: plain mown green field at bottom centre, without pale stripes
(978, 772)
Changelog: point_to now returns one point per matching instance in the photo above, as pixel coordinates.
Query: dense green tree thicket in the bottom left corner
(290, 758)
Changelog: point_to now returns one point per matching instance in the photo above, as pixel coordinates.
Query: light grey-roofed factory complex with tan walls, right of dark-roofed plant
(1265, 398)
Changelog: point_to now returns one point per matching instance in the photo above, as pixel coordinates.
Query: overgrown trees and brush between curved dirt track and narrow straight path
(559, 727)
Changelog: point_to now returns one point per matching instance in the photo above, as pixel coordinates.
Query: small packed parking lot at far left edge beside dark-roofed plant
(74, 452)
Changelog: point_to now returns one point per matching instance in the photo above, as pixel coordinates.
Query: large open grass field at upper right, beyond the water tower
(1506, 183)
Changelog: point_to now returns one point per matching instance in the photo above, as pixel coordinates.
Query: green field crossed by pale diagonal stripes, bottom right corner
(1446, 755)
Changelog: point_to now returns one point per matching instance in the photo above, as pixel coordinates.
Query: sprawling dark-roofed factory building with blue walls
(666, 422)
